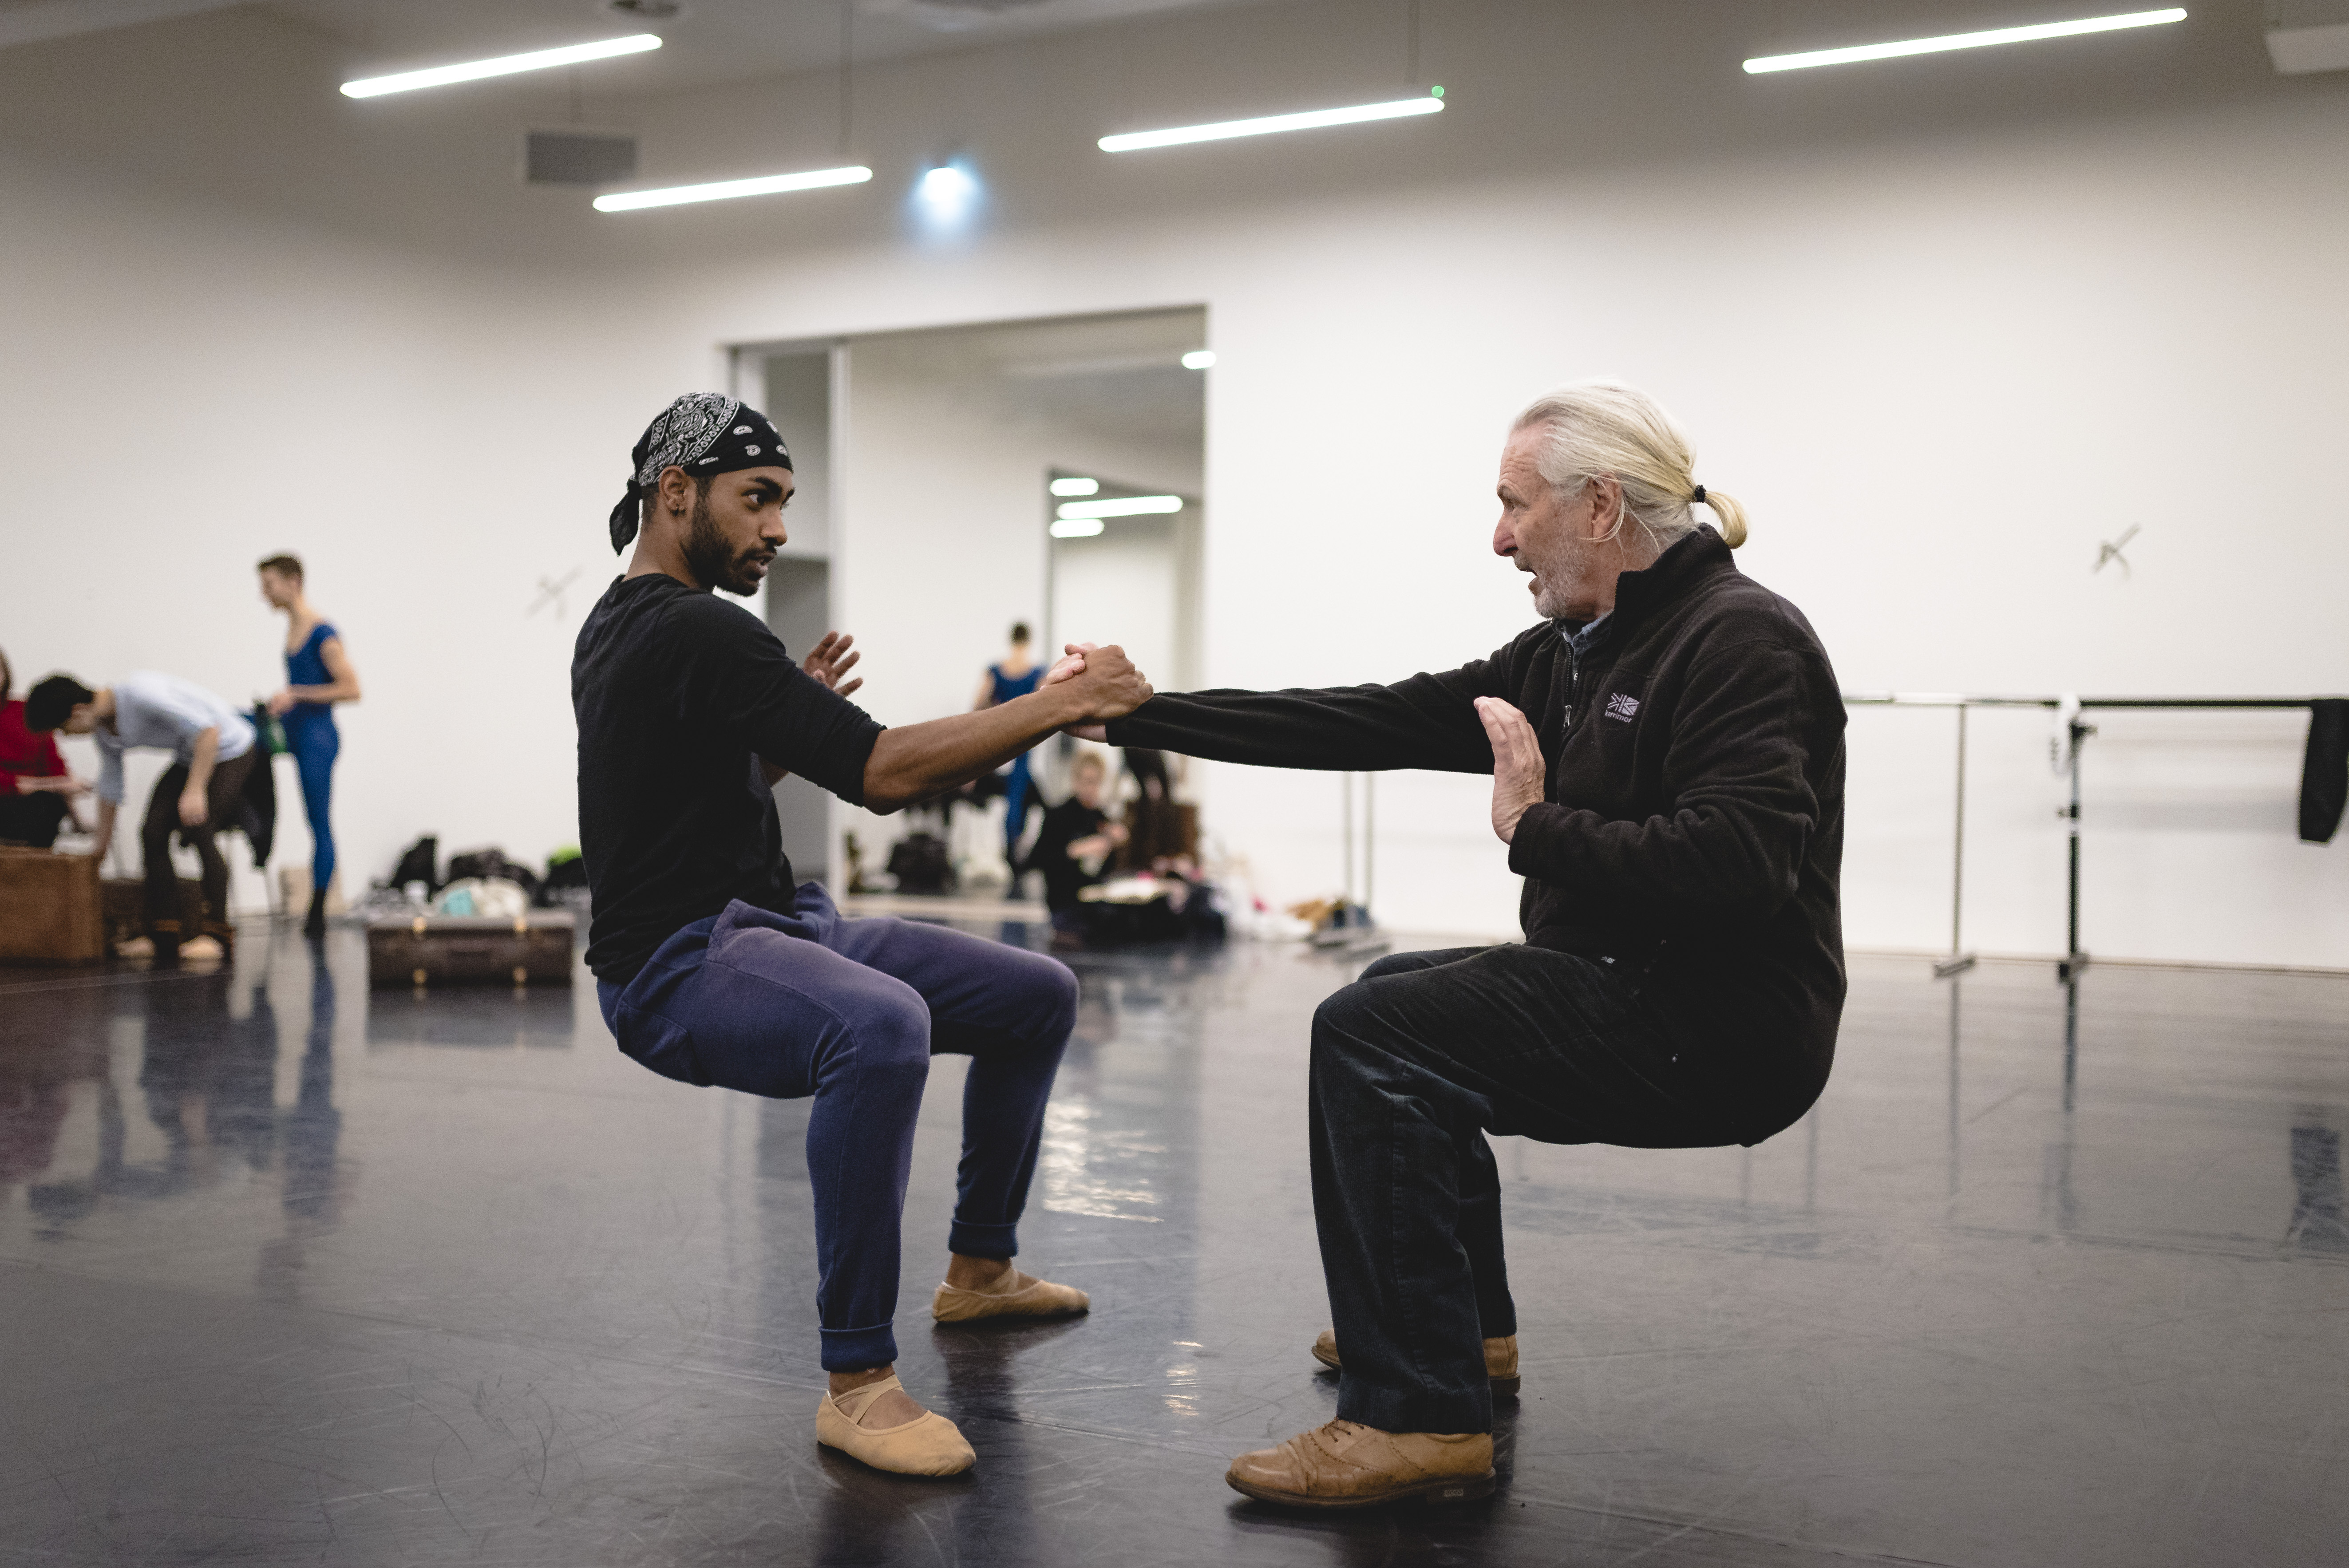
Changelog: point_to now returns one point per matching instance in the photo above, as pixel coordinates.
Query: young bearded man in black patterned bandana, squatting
(715, 968)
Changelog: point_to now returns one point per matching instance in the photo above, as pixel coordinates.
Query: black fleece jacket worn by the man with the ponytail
(1695, 813)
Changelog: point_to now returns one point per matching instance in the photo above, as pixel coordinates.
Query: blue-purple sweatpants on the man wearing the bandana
(852, 1011)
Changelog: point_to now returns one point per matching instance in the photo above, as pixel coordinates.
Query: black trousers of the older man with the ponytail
(1413, 1065)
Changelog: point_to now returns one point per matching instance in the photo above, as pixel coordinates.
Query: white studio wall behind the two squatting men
(1941, 325)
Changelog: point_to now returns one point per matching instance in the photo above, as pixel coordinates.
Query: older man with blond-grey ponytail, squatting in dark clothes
(1667, 755)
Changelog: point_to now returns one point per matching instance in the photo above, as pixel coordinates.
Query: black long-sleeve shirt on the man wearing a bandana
(678, 696)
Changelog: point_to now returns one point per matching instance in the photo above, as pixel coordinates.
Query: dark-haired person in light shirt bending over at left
(213, 755)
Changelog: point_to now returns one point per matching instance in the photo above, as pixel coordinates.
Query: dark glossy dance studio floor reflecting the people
(292, 1273)
